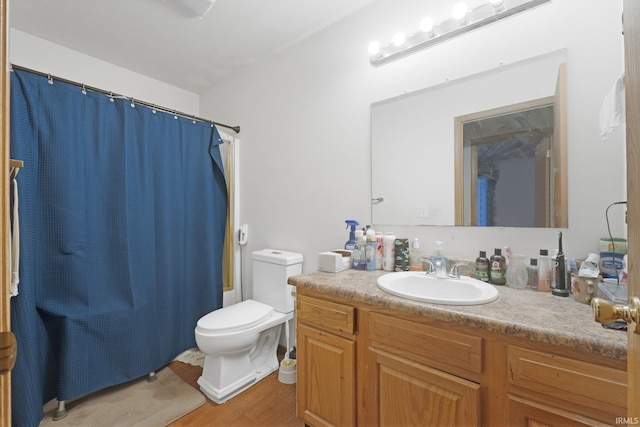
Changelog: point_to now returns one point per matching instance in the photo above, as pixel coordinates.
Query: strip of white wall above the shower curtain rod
(41, 55)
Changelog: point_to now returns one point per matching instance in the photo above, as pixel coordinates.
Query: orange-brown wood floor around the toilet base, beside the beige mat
(267, 403)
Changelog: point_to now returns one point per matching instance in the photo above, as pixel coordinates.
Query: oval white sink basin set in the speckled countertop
(418, 286)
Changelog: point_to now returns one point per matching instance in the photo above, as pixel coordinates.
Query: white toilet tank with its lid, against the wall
(271, 269)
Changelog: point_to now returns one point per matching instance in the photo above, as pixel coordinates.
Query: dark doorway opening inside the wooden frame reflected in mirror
(510, 164)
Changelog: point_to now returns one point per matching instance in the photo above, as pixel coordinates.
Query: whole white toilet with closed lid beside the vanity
(240, 341)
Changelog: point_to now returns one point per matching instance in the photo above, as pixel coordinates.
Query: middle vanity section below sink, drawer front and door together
(420, 376)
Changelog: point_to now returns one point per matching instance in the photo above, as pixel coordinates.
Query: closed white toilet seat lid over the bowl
(236, 317)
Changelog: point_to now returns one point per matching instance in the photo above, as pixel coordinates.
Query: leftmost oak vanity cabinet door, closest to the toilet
(326, 378)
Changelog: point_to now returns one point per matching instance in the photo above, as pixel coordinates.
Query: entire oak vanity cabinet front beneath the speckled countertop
(361, 365)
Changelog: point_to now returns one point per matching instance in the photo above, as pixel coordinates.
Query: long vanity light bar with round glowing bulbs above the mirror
(462, 21)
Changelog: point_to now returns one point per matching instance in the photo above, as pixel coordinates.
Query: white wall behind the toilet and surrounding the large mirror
(305, 118)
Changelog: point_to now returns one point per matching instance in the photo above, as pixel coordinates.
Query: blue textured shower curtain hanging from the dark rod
(122, 217)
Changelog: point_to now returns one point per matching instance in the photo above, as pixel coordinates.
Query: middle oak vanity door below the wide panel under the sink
(406, 393)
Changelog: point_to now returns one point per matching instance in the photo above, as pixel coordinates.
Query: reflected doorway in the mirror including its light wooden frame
(511, 164)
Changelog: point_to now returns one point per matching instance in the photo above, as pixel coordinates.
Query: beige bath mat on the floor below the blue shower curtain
(135, 403)
